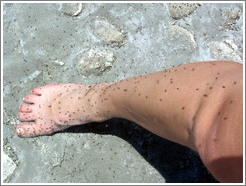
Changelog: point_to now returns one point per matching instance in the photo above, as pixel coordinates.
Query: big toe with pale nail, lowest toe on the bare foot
(32, 129)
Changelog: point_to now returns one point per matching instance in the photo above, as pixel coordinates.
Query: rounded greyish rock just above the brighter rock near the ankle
(109, 33)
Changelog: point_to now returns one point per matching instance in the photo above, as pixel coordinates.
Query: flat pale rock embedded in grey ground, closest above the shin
(181, 37)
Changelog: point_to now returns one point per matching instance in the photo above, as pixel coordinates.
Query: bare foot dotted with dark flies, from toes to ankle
(53, 108)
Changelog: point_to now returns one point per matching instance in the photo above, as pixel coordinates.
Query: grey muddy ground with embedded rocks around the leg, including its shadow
(96, 43)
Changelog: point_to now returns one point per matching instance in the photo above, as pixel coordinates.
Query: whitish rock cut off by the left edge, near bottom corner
(8, 166)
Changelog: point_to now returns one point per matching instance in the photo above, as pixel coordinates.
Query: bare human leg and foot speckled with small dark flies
(198, 105)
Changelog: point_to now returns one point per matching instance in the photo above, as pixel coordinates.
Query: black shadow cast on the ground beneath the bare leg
(176, 163)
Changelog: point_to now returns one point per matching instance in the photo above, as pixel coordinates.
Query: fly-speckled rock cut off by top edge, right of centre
(181, 10)
